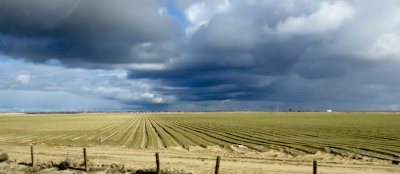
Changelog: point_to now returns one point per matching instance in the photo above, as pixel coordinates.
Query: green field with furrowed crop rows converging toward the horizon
(370, 134)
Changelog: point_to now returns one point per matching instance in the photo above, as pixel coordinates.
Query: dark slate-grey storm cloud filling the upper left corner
(90, 31)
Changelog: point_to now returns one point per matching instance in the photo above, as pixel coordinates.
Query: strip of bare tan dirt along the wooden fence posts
(192, 160)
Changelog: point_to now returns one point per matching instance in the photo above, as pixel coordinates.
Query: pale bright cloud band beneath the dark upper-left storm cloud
(111, 86)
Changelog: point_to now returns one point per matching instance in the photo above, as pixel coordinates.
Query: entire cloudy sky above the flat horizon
(164, 55)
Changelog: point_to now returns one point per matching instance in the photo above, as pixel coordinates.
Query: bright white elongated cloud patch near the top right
(330, 16)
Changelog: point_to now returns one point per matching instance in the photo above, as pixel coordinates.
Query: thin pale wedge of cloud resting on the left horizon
(38, 100)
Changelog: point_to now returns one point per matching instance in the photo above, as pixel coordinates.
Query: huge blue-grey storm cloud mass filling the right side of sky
(293, 54)
